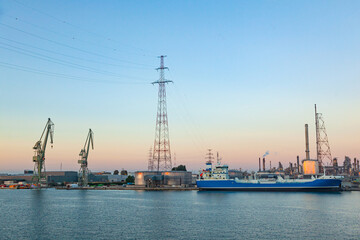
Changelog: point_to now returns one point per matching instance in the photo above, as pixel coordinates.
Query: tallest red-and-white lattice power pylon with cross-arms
(161, 152)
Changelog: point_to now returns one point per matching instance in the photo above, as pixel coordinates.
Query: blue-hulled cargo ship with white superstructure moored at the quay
(217, 178)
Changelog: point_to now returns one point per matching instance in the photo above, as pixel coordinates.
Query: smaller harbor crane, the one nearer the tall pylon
(84, 153)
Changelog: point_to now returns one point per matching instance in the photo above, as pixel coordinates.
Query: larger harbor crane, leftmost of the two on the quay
(39, 177)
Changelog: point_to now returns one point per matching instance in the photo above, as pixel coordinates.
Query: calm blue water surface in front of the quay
(61, 214)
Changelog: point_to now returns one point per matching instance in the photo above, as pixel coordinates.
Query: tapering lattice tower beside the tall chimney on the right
(322, 142)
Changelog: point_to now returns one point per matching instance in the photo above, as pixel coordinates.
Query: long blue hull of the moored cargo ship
(231, 185)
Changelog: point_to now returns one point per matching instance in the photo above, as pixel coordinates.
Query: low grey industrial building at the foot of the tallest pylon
(163, 178)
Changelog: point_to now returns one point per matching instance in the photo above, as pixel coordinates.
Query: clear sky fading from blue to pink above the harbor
(246, 77)
